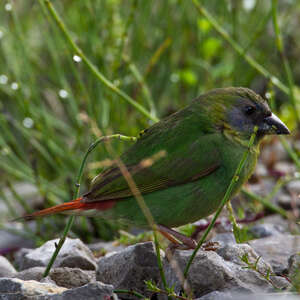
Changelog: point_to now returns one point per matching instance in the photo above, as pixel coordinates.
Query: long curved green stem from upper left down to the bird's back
(93, 69)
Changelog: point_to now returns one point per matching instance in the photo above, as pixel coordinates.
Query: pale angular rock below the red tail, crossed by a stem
(74, 254)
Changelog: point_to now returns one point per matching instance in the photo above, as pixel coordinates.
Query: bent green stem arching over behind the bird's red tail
(76, 194)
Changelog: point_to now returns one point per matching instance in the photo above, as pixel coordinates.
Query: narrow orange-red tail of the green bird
(72, 205)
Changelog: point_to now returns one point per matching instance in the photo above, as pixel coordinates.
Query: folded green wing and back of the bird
(170, 153)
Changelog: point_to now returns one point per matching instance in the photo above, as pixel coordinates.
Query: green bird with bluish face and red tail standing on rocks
(182, 165)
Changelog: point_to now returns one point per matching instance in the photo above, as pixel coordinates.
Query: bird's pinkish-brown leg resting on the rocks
(175, 236)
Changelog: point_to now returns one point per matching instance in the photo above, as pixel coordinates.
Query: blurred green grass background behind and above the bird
(162, 54)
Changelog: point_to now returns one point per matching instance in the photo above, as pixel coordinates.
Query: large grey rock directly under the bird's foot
(221, 270)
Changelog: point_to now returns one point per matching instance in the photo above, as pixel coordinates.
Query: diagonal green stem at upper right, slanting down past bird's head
(249, 59)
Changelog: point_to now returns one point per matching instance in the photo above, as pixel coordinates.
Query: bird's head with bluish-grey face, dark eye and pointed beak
(237, 111)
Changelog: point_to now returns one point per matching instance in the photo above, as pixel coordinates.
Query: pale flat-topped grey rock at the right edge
(276, 250)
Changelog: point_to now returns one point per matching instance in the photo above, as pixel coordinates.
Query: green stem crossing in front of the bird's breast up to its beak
(225, 199)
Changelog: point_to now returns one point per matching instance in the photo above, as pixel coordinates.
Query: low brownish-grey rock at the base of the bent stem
(65, 277)
